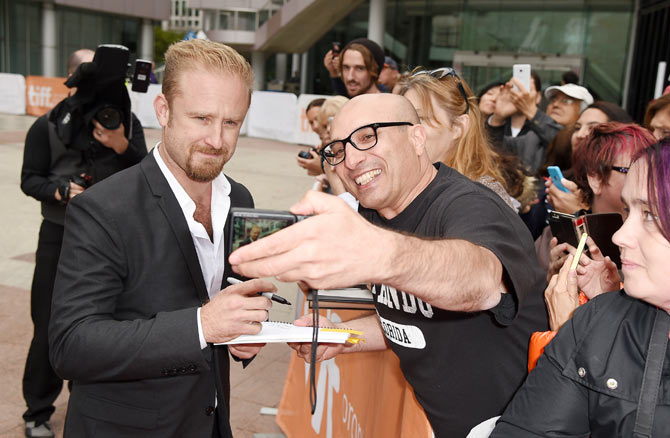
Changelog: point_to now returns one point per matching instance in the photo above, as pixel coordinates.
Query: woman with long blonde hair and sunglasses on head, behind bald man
(454, 134)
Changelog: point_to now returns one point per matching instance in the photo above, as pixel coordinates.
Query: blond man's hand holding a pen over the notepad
(236, 310)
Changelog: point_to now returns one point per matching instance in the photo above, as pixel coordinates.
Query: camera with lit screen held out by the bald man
(248, 224)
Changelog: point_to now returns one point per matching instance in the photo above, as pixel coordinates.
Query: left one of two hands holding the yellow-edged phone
(561, 295)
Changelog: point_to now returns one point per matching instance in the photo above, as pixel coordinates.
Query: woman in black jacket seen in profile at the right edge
(607, 372)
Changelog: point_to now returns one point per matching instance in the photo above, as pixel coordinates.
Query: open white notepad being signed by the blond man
(285, 332)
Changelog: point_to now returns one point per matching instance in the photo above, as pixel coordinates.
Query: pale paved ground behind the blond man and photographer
(267, 168)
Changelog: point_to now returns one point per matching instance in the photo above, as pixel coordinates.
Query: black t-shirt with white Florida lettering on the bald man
(464, 367)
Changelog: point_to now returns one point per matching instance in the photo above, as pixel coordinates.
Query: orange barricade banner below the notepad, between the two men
(361, 395)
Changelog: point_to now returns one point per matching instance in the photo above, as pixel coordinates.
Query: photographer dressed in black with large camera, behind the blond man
(54, 172)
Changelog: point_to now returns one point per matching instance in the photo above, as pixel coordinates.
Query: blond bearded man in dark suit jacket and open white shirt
(139, 299)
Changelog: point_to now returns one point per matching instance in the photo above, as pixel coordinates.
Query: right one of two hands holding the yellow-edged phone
(597, 274)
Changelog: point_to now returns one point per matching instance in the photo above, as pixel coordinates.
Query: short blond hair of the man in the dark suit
(209, 55)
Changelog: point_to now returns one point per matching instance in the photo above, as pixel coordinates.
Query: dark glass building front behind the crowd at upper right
(591, 37)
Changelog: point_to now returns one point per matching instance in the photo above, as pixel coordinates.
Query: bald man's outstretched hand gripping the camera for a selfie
(334, 248)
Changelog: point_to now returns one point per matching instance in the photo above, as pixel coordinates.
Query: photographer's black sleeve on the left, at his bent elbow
(36, 163)
